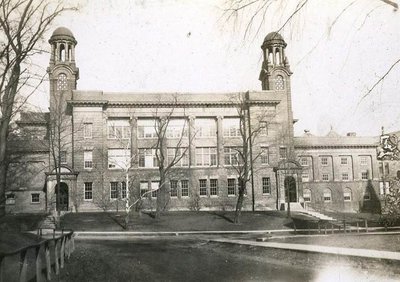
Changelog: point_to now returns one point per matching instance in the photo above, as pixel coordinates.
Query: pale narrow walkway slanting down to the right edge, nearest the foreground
(318, 249)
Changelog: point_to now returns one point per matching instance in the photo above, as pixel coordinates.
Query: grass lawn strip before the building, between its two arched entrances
(180, 221)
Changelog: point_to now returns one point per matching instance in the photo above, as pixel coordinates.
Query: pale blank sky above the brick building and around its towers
(337, 50)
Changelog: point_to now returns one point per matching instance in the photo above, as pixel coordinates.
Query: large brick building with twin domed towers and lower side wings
(103, 136)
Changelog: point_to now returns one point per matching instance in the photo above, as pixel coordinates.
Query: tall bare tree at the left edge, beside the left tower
(23, 24)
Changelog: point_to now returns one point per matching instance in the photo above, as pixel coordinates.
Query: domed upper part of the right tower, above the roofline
(275, 70)
